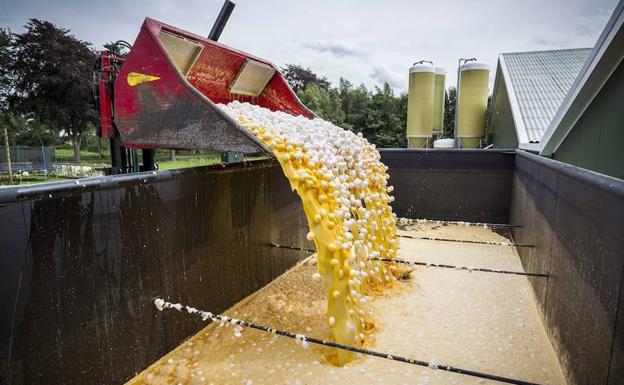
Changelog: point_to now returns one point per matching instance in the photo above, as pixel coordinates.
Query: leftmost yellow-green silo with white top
(420, 105)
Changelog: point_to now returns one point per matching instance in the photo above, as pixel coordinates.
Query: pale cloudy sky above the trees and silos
(365, 41)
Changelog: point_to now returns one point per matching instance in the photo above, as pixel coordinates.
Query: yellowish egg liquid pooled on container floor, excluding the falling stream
(474, 320)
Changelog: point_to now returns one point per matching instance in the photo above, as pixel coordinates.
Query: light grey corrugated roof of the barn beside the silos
(540, 81)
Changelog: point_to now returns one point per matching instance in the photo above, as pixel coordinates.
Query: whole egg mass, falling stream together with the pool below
(344, 294)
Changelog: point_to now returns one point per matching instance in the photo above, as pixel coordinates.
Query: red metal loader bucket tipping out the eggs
(166, 91)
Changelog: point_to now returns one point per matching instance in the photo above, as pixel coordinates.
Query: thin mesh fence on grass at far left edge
(27, 159)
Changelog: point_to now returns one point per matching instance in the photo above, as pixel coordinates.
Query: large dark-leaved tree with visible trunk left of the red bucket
(52, 79)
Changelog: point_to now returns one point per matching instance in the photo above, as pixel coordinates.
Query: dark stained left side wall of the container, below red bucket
(80, 264)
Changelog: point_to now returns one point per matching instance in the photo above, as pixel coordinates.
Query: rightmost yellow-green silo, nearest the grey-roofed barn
(474, 78)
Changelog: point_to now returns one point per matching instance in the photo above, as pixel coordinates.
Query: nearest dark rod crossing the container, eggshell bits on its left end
(162, 304)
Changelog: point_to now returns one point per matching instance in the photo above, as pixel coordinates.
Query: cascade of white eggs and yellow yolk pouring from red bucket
(343, 187)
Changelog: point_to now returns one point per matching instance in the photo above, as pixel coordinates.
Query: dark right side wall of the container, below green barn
(575, 219)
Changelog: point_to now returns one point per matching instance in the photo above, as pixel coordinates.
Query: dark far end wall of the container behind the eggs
(466, 185)
